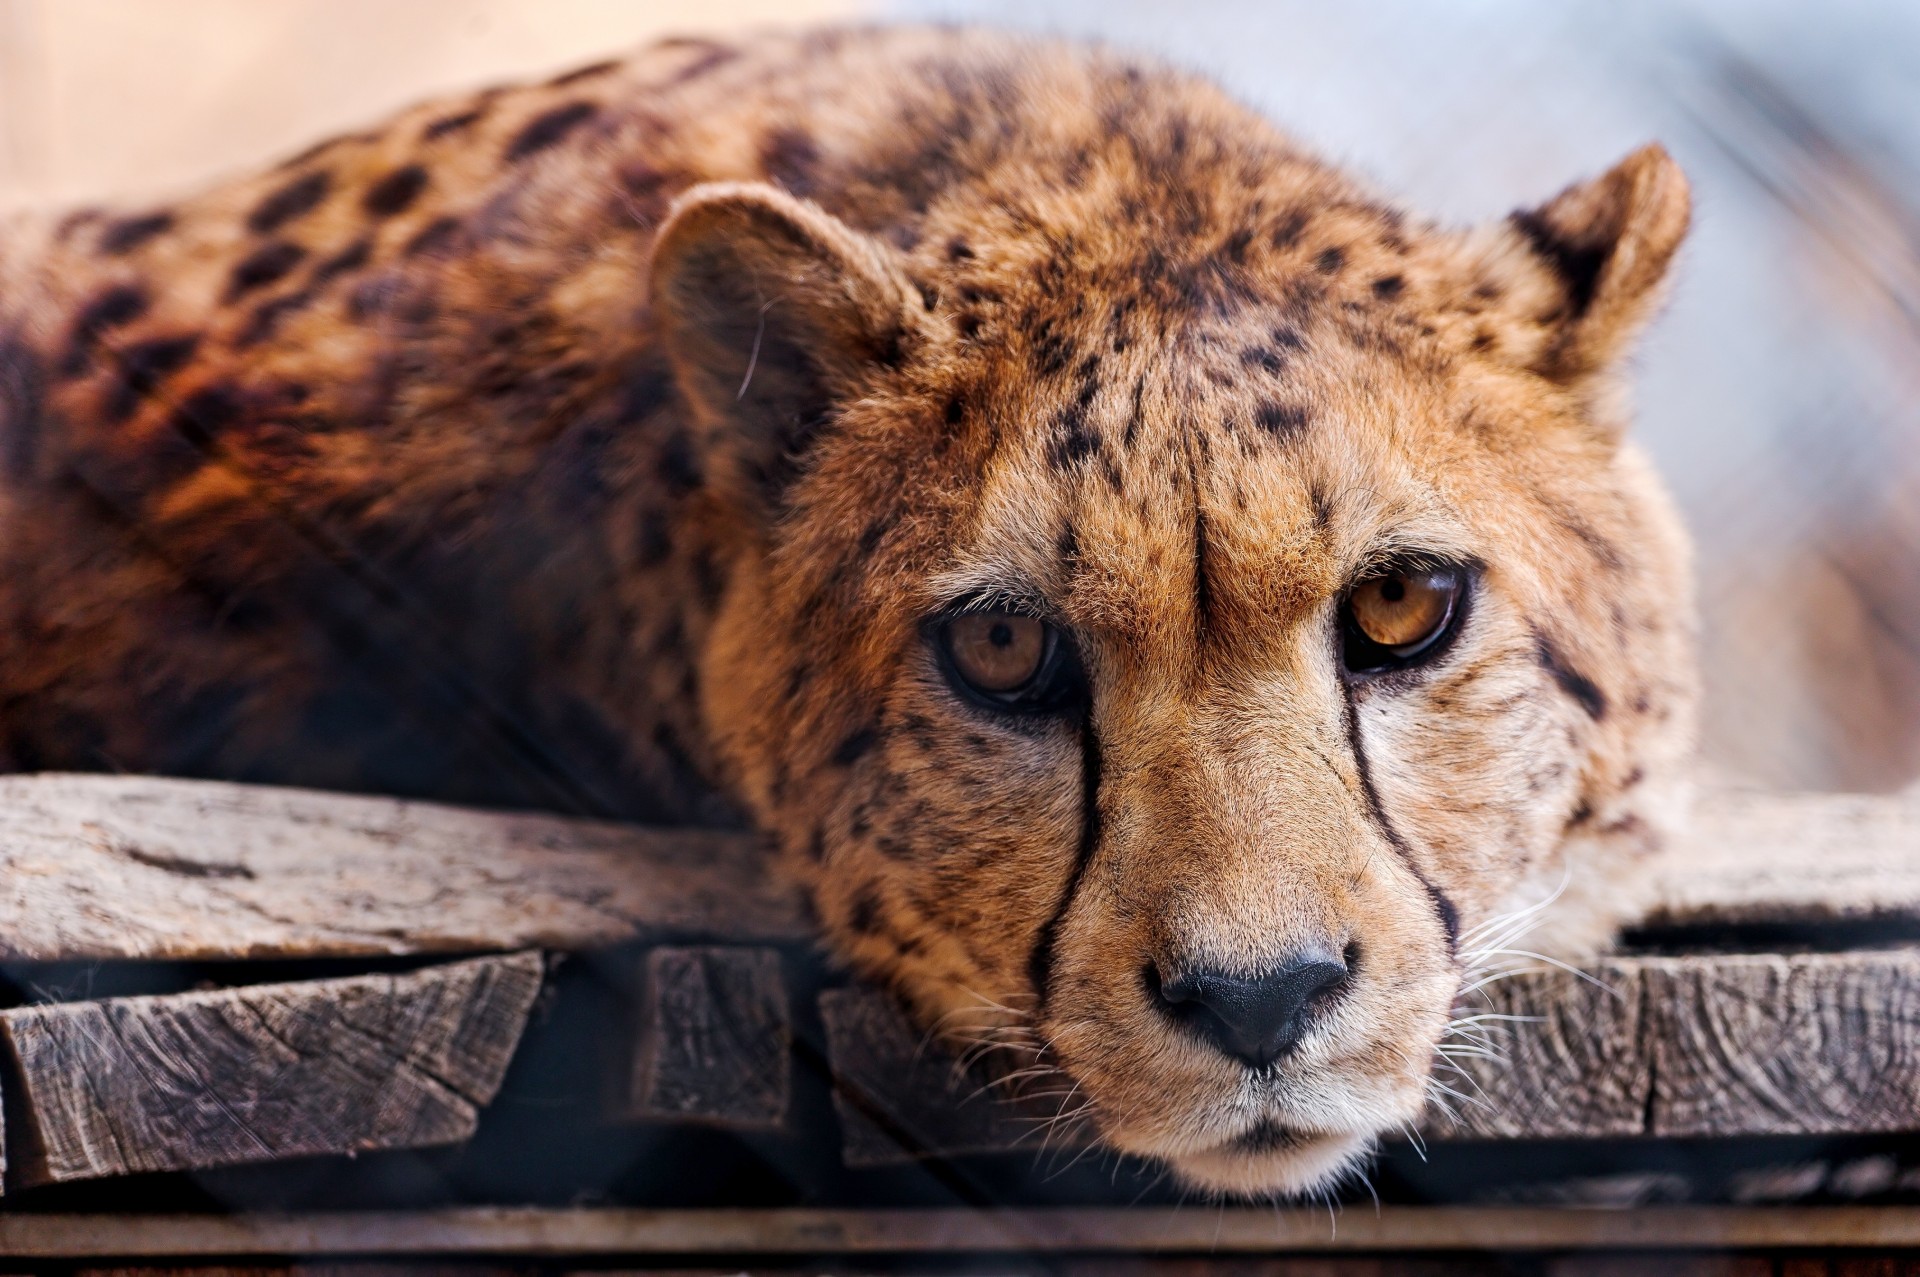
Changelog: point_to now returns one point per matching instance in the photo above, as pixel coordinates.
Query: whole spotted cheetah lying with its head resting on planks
(1164, 602)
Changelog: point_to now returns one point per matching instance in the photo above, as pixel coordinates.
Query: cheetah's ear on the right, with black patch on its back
(1593, 262)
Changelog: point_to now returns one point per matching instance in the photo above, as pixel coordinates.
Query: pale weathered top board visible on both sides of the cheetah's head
(114, 867)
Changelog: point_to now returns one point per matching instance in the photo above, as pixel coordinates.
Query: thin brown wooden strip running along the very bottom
(1216, 1230)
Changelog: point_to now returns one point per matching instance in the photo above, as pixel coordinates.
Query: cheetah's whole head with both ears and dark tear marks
(1168, 669)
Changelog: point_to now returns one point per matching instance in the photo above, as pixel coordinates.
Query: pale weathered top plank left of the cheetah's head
(126, 867)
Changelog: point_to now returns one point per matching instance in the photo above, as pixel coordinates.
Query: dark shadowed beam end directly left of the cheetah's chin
(903, 1097)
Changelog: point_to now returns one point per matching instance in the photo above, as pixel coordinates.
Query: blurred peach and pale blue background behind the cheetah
(1781, 395)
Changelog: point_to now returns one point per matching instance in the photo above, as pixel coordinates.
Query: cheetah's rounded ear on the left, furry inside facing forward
(775, 312)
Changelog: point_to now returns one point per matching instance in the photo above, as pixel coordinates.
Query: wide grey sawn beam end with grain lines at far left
(201, 1080)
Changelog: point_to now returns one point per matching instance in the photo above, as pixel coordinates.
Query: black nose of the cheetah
(1253, 1019)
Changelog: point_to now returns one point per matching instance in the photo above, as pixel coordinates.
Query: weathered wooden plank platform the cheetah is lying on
(383, 969)
